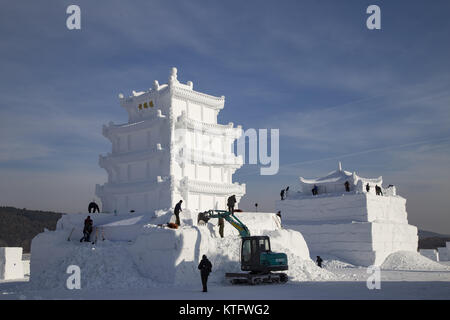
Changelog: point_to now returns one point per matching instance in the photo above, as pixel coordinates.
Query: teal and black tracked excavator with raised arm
(257, 257)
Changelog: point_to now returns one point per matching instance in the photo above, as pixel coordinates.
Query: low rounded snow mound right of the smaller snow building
(407, 260)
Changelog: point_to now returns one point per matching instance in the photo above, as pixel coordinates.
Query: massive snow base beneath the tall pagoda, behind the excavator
(137, 252)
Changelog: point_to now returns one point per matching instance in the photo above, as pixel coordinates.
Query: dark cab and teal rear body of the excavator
(257, 256)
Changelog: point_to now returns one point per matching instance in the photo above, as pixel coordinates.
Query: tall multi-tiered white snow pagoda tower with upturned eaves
(171, 149)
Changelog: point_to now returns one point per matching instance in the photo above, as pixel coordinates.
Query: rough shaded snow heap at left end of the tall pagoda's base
(106, 265)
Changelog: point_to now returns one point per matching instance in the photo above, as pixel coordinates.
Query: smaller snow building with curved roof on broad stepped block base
(357, 226)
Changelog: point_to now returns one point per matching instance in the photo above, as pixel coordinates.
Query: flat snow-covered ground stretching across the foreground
(349, 283)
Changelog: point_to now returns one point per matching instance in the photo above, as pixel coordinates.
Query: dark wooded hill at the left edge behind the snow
(19, 226)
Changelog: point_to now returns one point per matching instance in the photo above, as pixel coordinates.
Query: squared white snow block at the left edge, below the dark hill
(11, 266)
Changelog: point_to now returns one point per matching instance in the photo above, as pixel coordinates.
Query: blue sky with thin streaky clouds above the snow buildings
(379, 101)
